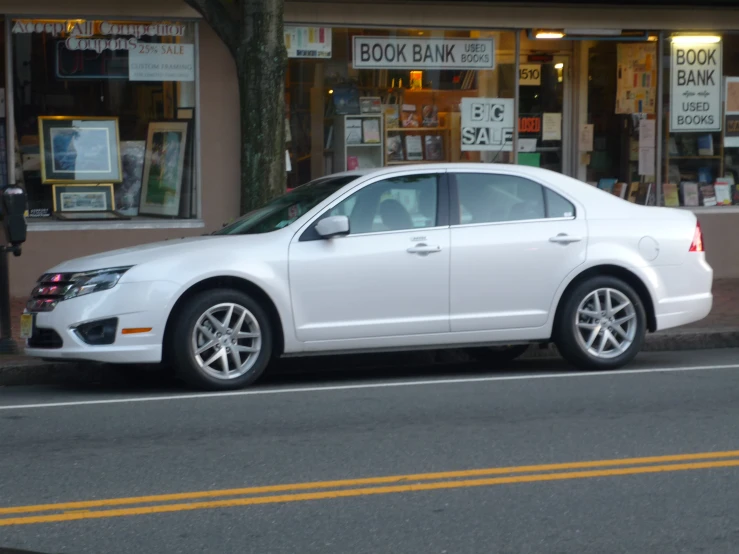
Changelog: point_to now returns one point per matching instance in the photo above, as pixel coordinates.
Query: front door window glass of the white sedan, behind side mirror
(396, 204)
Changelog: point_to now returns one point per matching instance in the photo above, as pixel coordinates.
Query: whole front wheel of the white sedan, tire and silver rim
(222, 340)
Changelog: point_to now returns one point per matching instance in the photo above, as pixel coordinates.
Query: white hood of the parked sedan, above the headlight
(137, 255)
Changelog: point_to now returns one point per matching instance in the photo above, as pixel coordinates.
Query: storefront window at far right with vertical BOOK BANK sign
(700, 153)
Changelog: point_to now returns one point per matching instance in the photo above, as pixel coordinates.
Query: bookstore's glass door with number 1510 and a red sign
(544, 111)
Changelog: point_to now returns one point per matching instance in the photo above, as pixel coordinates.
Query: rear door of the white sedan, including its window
(514, 241)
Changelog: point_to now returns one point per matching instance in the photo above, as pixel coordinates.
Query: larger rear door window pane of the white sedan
(497, 198)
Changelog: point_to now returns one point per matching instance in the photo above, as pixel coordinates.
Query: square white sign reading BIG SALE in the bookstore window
(487, 124)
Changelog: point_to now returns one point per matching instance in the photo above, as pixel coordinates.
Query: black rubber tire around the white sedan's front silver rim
(180, 345)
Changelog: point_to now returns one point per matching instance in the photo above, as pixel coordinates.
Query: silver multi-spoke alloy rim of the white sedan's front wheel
(226, 341)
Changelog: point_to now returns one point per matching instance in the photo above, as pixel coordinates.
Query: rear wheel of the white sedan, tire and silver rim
(602, 324)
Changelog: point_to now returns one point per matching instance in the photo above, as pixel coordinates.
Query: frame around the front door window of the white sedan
(443, 203)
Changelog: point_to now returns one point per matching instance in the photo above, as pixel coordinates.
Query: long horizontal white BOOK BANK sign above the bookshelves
(423, 53)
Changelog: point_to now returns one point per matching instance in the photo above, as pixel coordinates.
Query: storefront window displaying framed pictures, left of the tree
(104, 118)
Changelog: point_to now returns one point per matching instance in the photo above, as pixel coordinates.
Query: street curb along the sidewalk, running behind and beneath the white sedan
(19, 371)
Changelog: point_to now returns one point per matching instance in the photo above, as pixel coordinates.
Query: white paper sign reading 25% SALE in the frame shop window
(161, 62)
